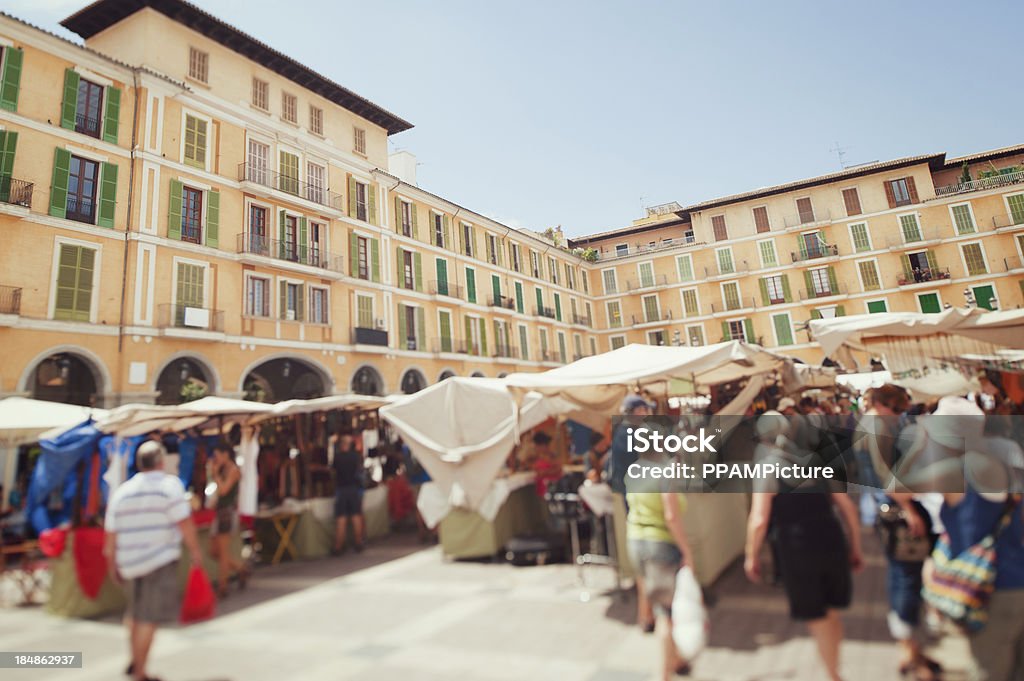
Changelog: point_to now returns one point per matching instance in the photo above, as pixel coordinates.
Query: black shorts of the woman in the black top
(816, 581)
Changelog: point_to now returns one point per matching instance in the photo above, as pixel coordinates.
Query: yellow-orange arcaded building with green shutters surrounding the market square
(185, 210)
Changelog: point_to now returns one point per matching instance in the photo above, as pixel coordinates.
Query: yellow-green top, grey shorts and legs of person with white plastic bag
(659, 548)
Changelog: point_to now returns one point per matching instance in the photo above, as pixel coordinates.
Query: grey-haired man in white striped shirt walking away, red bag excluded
(147, 520)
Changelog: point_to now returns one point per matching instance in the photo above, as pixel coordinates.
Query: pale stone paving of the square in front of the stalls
(402, 613)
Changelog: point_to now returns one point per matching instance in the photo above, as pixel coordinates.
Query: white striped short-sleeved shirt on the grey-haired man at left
(145, 514)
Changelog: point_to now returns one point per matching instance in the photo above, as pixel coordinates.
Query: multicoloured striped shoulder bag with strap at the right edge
(961, 586)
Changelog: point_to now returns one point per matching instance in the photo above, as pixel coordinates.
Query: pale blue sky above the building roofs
(580, 113)
